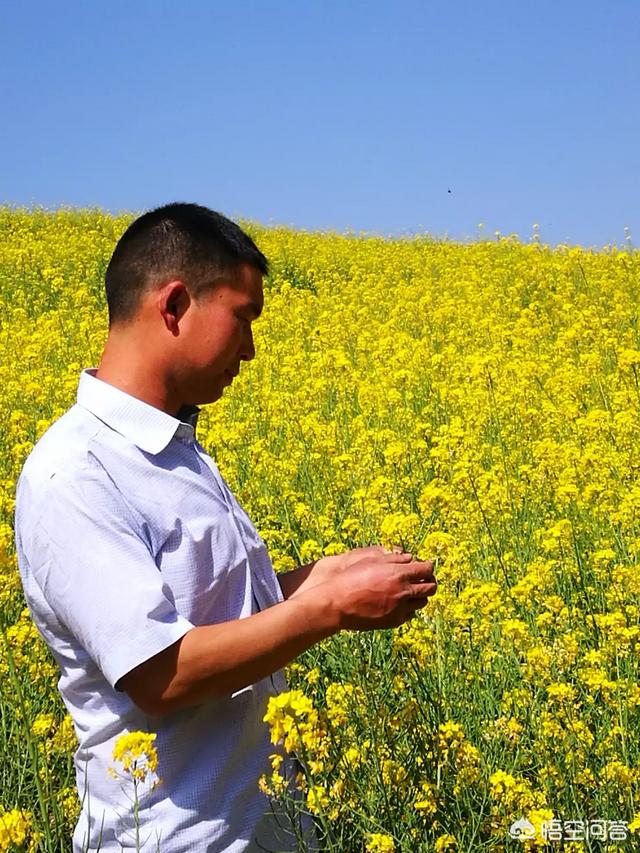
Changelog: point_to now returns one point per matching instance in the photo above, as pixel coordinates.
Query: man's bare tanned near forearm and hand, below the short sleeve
(217, 660)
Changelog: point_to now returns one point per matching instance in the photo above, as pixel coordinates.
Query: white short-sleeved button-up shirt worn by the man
(127, 537)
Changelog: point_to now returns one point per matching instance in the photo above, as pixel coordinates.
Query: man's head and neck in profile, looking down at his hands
(184, 286)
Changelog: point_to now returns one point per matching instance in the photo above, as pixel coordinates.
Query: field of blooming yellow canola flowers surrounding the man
(479, 404)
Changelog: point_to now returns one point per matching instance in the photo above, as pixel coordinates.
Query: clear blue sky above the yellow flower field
(331, 115)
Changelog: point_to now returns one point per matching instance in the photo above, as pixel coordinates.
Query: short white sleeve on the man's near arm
(88, 554)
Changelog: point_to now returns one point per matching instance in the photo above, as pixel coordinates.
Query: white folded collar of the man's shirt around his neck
(148, 428)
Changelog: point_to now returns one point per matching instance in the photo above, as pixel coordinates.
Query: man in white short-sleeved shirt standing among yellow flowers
(146, 578)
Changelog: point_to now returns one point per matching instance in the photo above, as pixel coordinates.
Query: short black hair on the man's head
(179, 240)
